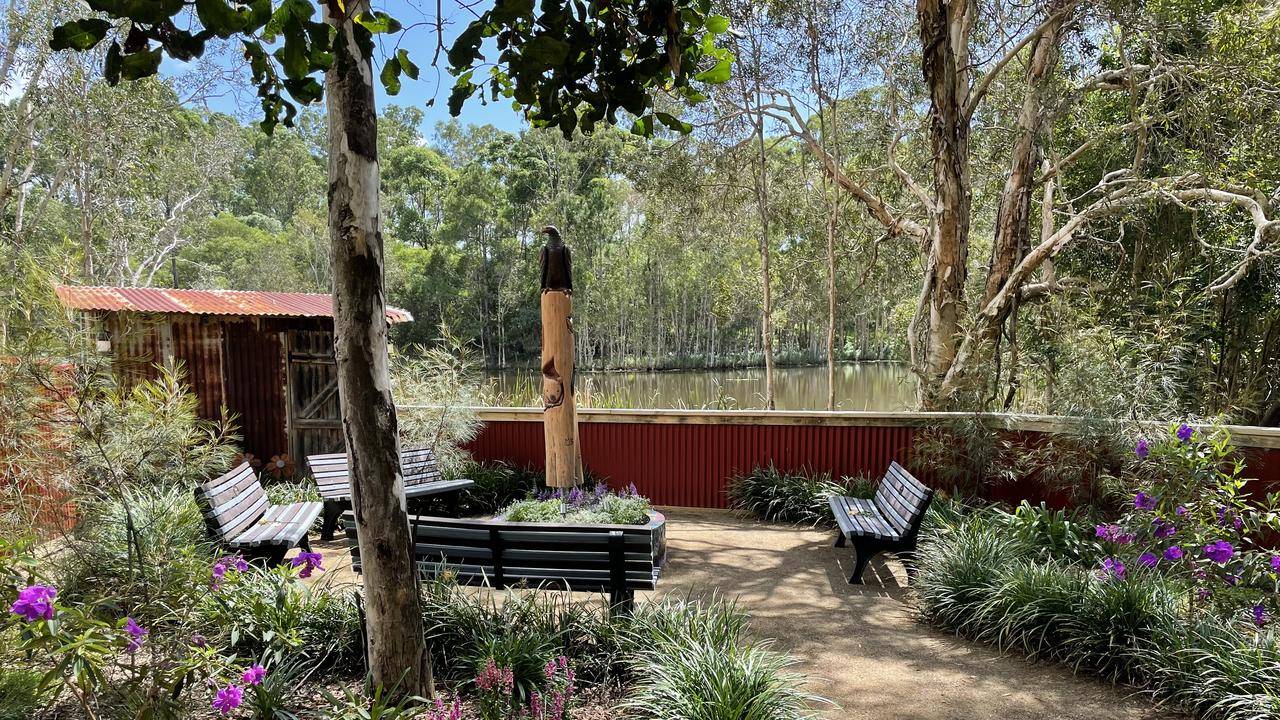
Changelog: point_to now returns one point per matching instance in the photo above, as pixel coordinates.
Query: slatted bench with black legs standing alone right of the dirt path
(886, 523)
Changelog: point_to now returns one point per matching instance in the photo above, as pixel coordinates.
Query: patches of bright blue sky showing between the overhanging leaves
(420, 40)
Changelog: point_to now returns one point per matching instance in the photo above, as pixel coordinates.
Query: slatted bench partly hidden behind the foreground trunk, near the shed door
(422, 475)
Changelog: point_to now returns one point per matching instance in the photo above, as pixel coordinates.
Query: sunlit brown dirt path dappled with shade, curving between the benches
(860, 645)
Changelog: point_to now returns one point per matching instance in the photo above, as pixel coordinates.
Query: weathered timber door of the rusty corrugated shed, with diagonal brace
(316, 421)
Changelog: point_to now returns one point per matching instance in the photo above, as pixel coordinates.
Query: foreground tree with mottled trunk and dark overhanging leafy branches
(568, 65)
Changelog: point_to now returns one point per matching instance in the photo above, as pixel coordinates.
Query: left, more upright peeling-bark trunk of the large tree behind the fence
(945, 63)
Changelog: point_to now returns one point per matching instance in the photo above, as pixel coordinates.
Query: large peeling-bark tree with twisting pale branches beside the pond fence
(1021, 80)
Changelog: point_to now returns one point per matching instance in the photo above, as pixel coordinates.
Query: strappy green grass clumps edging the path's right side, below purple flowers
(980, 580)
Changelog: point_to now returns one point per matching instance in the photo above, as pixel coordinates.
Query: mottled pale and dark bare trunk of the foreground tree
(397, 651)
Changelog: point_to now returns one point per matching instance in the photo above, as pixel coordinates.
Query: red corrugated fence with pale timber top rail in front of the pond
(687, 458)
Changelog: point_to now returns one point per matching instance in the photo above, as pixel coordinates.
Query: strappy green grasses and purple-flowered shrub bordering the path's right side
(1173, 595)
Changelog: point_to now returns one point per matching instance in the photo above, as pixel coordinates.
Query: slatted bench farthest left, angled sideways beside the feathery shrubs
(240, 516)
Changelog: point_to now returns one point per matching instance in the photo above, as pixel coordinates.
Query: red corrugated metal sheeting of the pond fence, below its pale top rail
(688, 466)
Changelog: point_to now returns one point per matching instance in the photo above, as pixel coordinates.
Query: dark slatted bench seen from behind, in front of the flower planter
(616, 560)
